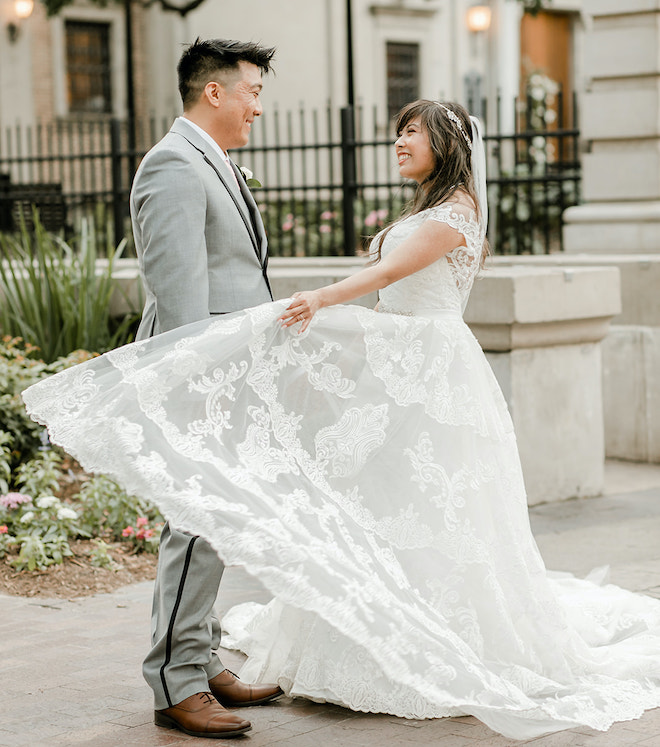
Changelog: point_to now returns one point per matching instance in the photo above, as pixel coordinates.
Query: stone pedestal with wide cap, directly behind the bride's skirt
(541, 329)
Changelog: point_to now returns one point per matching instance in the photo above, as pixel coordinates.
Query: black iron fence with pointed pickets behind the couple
(328, 179)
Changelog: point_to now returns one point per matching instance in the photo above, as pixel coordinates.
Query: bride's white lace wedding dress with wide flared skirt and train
(366, 472)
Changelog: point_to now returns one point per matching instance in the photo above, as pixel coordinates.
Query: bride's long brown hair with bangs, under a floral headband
(452, 156)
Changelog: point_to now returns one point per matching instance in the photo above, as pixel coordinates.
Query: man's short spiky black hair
(204, 59)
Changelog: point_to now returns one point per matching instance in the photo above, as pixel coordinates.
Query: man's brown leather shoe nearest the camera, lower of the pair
(201, 715)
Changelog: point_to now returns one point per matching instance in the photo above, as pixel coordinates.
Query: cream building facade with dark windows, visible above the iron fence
(401, 48)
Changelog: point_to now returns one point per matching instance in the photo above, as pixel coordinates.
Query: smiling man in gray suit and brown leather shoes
(202, 250)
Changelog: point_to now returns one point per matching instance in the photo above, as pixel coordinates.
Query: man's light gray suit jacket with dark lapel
(199, 237)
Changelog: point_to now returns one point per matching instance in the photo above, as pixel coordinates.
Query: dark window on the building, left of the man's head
(88, 67)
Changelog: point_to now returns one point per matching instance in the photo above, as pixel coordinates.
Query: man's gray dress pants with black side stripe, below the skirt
(185, 632)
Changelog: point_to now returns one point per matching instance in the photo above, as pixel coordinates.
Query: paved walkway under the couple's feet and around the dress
(70, 670)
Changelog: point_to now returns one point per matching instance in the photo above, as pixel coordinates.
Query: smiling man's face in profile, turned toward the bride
(239, 105)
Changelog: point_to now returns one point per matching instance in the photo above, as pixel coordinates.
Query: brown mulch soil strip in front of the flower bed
(77, 577)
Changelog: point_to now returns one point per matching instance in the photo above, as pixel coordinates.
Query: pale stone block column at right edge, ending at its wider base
(620, 123)
